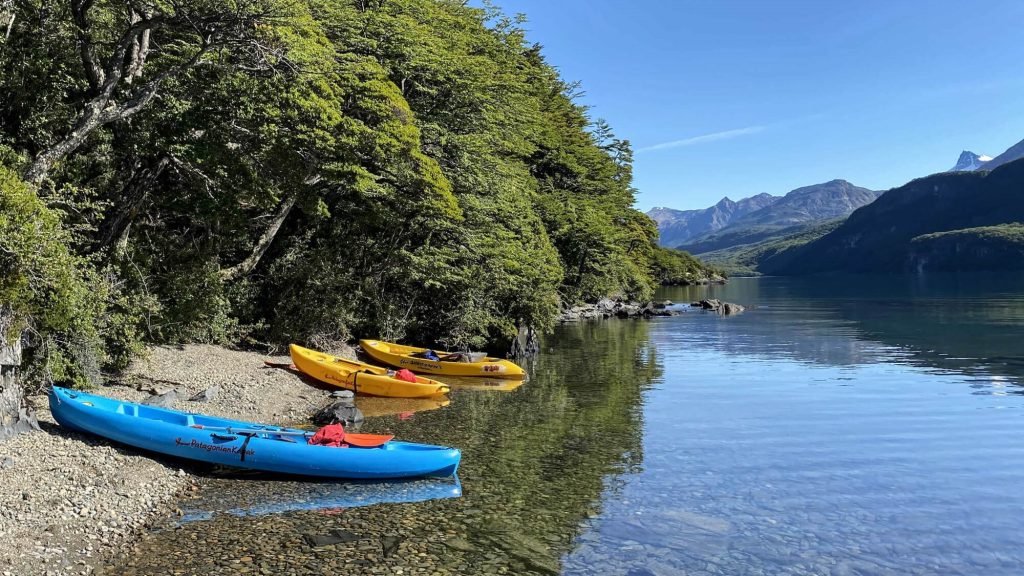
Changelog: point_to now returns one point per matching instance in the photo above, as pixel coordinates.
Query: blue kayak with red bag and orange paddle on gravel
(245, 445)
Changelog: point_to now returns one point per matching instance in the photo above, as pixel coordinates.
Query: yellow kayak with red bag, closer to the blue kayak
(360, 378)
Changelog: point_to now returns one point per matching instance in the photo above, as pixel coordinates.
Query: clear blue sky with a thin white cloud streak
(735, 98)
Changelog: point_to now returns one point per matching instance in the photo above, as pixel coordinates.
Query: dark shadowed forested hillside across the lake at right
(949, 222)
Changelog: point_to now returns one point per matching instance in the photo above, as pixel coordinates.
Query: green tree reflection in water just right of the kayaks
(539, 460)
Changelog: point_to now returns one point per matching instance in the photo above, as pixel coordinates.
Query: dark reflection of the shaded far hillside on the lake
(966, 323)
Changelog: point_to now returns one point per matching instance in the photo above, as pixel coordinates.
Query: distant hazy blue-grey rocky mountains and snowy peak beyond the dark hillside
(729, 228)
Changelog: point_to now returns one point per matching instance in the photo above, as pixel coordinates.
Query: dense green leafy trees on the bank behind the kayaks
(279, 171)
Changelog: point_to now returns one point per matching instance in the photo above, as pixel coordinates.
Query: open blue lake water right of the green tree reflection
(841, 427)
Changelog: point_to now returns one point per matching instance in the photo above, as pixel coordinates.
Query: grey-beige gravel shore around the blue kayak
(70, 501)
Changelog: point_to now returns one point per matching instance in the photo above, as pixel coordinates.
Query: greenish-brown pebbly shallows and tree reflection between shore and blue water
(537, 462)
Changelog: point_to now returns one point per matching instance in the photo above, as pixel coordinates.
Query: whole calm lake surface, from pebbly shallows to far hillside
(844, 426)
